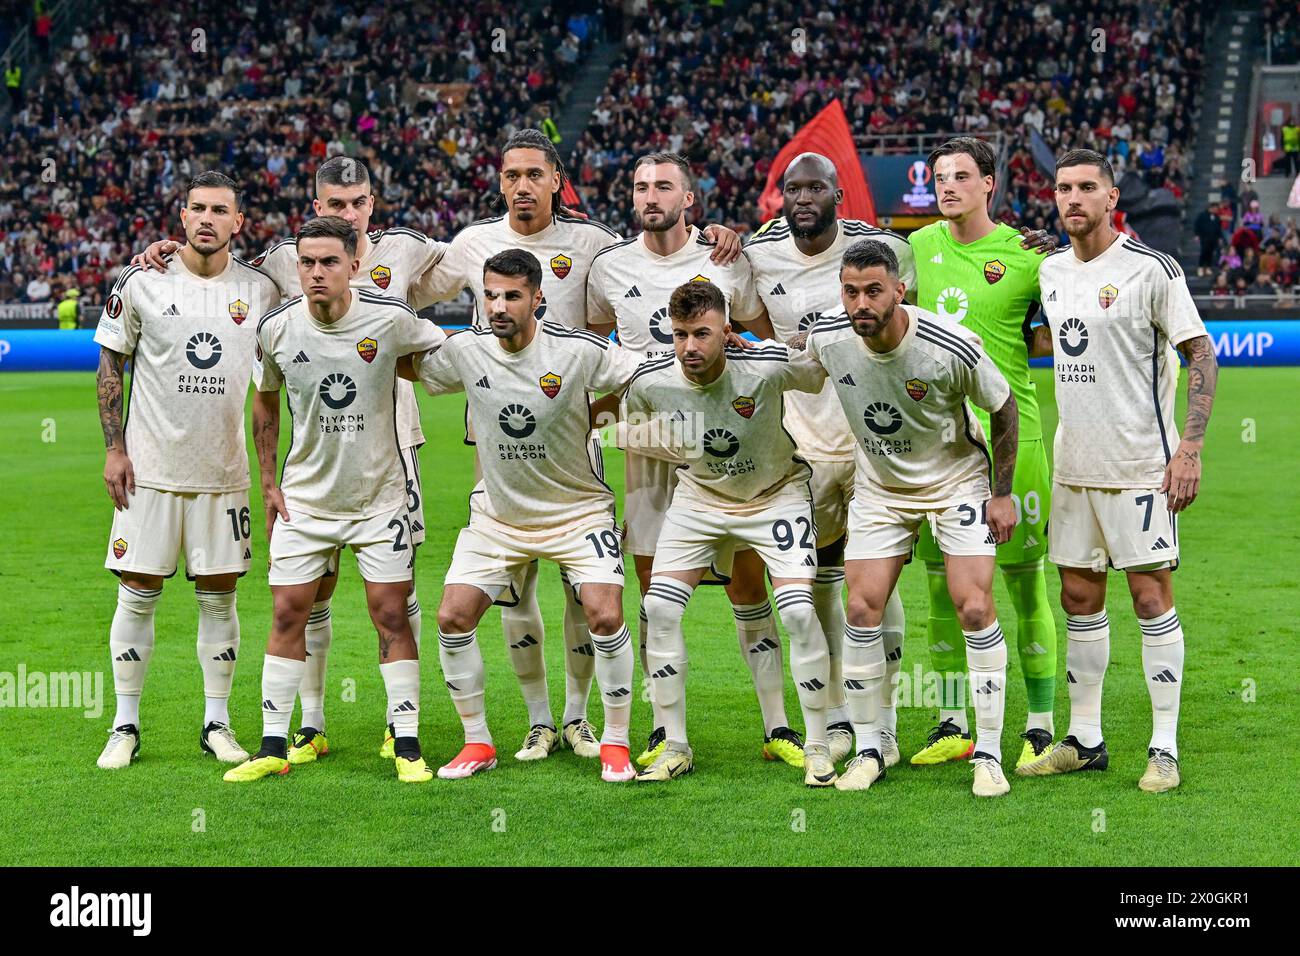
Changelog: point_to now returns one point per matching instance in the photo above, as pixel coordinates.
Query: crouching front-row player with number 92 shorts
(744, 487)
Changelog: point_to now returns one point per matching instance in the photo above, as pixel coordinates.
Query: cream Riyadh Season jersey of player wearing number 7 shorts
(1115, 323)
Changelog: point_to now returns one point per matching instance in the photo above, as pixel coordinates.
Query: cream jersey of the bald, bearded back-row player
(796, 289)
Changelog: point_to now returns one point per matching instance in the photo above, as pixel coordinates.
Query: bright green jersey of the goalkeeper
(990, 287)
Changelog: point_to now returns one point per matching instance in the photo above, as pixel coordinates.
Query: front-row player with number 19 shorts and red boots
(528, 387)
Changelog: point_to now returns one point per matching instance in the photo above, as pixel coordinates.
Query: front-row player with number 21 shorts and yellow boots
(335, 352)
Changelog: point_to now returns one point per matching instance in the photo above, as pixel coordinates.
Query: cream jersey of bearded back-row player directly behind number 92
(631, 287)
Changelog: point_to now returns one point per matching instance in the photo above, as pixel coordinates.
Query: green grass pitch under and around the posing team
(1237, 595)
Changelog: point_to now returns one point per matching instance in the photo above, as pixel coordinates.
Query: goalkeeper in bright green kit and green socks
(980, 274)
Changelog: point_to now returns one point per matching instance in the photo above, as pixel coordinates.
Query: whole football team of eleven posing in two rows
(887, 412)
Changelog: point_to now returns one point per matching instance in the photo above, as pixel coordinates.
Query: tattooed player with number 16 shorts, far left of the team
(179, 470)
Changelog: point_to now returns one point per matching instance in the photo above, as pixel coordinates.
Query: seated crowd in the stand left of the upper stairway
(146, 97)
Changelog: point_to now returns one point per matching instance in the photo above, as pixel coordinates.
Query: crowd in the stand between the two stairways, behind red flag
(729, 92)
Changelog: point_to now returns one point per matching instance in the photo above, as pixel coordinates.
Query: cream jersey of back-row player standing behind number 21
(395, 261)
